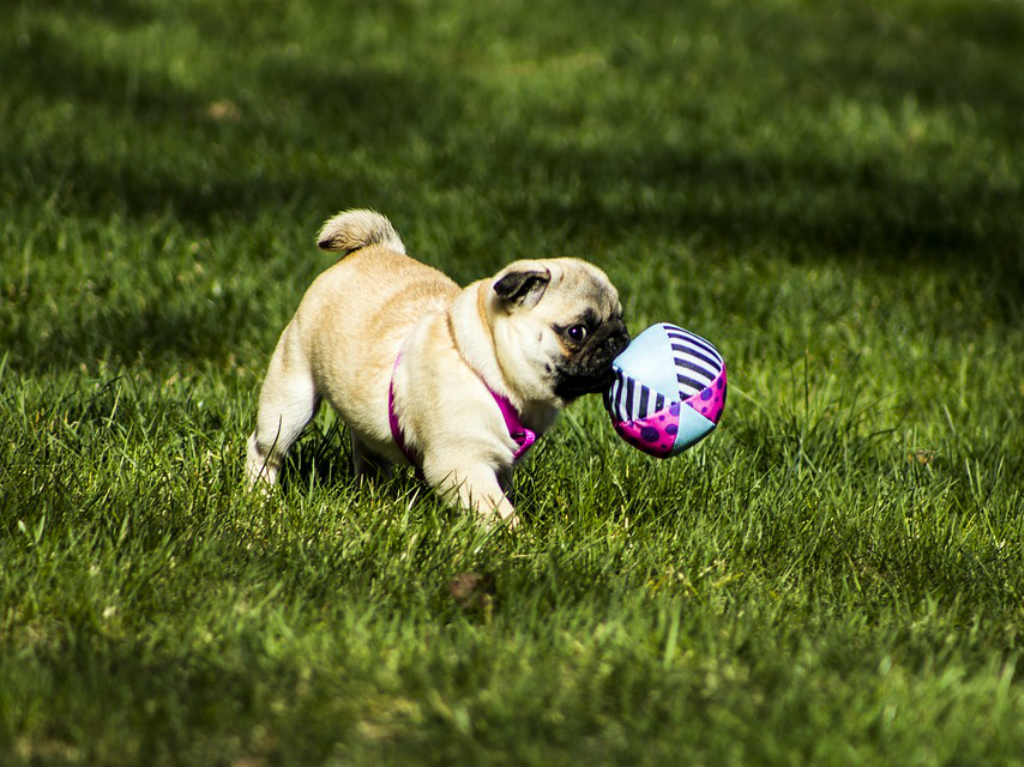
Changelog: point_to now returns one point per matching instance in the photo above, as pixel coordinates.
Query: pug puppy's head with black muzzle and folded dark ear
(558, 326)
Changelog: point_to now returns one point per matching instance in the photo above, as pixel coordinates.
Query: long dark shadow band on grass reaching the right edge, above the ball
(805, 206)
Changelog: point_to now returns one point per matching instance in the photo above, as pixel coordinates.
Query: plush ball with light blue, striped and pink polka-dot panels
(669, 391)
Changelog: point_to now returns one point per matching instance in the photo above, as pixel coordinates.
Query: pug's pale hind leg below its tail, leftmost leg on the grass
(287, 403)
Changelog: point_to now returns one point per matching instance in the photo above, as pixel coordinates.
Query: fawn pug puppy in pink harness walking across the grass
(456, 381)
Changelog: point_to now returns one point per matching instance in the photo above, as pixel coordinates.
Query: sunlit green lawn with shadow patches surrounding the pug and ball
(830, 192)
